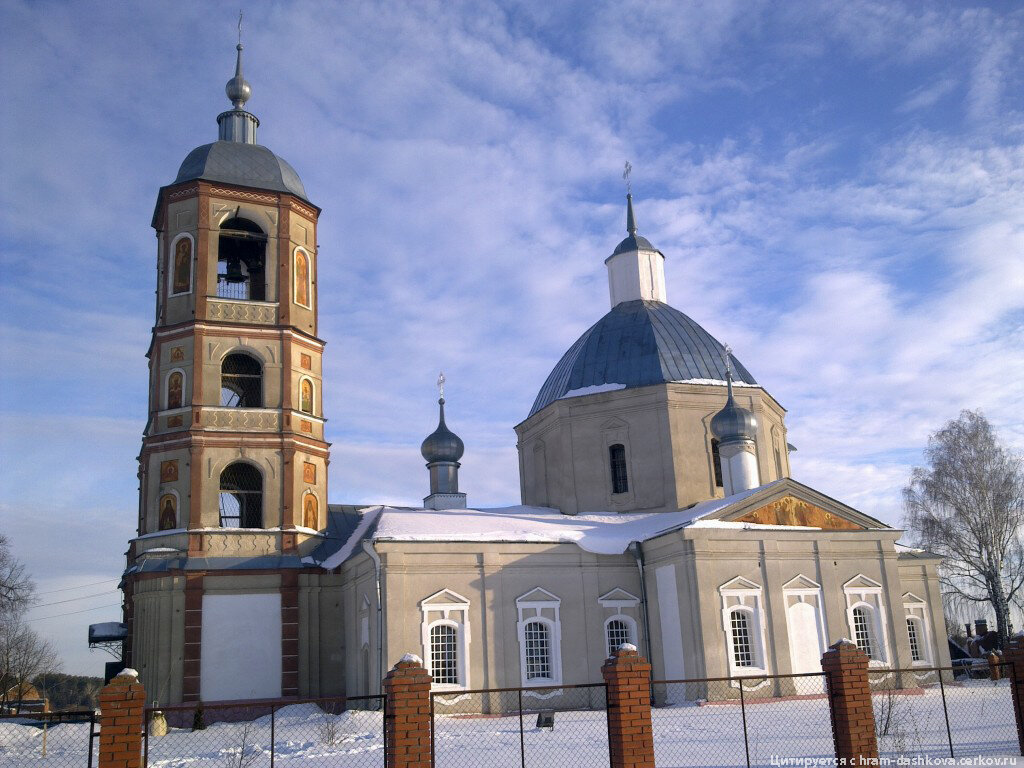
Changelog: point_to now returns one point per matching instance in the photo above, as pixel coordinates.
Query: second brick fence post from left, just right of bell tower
(407, 714)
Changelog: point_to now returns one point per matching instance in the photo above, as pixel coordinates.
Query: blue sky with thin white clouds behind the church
(838, 189)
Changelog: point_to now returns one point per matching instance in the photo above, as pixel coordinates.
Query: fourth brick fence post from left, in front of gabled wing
(850, 700)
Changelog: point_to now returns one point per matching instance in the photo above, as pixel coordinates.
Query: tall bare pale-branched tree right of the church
(968, 506)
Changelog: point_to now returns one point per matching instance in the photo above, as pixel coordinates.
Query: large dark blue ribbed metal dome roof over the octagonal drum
(637, 345)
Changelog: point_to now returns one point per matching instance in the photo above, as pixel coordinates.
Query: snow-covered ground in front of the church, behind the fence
(980, 714)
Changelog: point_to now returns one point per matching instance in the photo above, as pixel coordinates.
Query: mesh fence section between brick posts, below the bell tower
(329, 733)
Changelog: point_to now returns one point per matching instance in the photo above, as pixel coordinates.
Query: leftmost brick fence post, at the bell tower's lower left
(122, 722)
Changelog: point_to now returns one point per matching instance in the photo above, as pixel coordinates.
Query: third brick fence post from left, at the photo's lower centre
(631, 739)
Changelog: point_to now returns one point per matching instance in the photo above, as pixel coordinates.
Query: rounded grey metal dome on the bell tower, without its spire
(242, 164)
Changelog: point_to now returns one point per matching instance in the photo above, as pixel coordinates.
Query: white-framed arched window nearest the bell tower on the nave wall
(446, 639)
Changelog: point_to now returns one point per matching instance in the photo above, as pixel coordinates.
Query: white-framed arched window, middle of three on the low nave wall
(540, 638)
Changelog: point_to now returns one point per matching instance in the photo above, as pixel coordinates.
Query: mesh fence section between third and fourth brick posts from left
(741, 721)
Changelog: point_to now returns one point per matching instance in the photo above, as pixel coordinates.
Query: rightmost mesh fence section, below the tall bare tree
(943, 712)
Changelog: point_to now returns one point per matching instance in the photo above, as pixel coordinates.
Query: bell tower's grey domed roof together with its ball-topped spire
(236, 158)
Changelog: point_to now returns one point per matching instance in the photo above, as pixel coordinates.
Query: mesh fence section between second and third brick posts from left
(565, 726)
